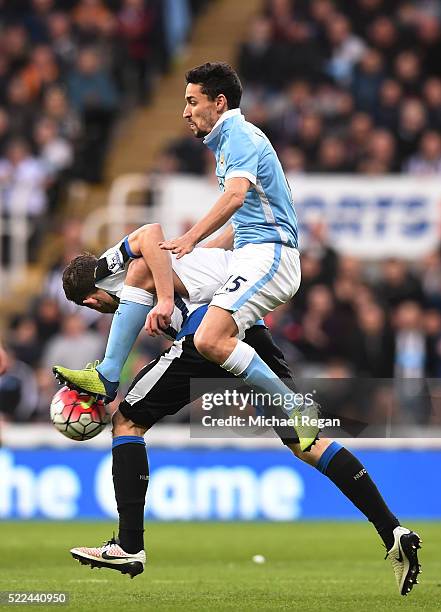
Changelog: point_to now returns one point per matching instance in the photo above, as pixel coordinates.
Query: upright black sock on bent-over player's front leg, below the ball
(130, 471)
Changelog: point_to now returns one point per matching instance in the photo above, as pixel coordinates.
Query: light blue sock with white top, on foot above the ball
(127, 322)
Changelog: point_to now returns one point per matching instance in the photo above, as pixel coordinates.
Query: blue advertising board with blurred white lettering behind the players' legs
(201, 484)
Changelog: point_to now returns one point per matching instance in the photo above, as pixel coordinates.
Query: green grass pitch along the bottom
(208, 566)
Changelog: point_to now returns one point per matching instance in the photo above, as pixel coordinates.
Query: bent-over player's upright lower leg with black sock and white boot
(130, 470)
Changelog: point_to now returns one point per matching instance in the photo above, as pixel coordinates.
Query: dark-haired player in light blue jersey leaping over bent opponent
(265, 268)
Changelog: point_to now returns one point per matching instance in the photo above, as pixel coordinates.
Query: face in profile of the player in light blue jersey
(200, 112)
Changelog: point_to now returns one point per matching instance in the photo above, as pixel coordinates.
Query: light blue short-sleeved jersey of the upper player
(243, 150)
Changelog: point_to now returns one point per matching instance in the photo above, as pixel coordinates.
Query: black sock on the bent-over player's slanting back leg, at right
(351, 477)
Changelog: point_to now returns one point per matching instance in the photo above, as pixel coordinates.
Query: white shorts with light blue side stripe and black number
(263, 276)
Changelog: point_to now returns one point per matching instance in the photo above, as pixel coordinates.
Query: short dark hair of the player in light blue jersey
(217, 78)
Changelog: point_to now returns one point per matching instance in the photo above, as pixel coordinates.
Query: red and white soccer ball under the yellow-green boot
(78, 416)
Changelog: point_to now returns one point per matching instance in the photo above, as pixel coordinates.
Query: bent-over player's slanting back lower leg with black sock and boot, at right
(353, 480)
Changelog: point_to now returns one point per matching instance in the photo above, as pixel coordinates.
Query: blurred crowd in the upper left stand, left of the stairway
(68, 70)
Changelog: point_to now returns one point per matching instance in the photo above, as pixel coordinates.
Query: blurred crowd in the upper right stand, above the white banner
(340, 86)
